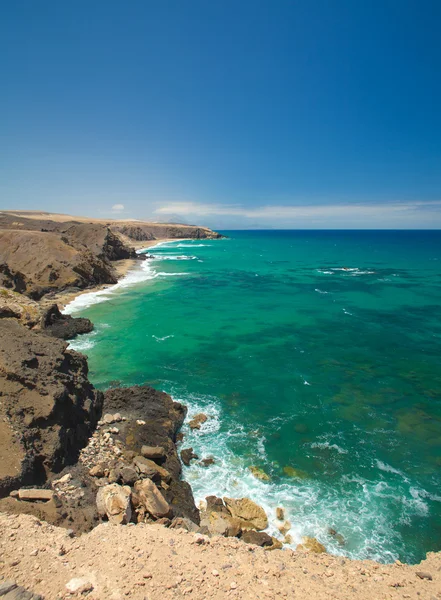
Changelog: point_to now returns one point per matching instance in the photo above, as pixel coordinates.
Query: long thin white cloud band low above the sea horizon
(357, 215)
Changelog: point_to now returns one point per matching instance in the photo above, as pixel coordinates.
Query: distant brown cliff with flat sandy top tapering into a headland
(42, 253)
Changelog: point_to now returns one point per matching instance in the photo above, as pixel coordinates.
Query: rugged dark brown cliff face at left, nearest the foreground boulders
(48, 408)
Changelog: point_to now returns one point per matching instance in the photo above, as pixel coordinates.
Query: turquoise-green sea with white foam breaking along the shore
(316, 351)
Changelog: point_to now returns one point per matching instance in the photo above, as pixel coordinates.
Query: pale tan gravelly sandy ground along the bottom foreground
(152, 562)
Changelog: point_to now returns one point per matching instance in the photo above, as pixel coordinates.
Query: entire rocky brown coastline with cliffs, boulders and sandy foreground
(106, 469)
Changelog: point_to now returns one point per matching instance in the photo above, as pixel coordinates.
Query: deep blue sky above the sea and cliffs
(226, 113)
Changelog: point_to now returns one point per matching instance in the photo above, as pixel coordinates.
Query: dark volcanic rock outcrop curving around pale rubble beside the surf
(162, 418)
